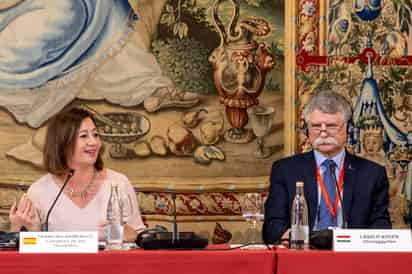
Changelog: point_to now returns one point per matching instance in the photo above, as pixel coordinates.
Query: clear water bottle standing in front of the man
(299, 234)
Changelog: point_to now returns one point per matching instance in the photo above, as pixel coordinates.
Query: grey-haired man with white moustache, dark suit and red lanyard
(365, 184)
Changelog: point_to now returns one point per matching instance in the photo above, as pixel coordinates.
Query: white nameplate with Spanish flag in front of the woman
(58, 242)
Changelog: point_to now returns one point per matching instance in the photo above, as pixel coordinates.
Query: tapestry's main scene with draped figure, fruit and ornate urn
(179, 88)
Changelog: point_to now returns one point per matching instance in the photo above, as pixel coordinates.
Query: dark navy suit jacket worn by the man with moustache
(365, 193)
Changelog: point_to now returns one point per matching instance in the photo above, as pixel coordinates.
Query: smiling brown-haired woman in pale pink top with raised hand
(73, 143)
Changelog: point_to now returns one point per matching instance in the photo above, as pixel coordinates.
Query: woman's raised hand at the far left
(22, 215)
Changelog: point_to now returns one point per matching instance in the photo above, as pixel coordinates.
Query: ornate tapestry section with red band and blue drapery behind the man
(362, 49)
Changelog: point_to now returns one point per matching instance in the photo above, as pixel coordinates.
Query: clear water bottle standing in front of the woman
(114, 228)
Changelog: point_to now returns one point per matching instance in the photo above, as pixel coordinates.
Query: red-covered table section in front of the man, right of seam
(327, 262)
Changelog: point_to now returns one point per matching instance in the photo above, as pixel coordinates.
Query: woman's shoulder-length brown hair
(60, 140)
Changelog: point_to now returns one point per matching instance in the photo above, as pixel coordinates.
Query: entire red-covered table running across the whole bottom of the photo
(279, 261)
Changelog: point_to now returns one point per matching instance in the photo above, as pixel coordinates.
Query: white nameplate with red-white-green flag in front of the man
(377, 240)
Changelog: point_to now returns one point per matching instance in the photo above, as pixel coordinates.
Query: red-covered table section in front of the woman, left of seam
(142, 262)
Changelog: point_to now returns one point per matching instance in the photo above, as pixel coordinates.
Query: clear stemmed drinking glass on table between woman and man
(252, 212)
